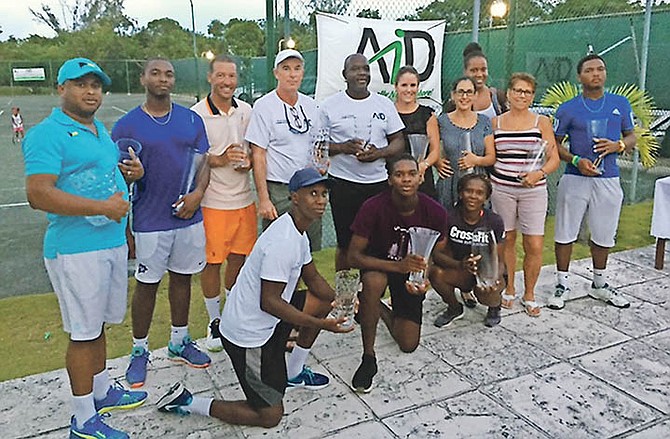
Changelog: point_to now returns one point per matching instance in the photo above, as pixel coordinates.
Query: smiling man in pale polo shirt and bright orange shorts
(228, 209)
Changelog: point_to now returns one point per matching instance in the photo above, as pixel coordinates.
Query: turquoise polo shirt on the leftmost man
(86, 165)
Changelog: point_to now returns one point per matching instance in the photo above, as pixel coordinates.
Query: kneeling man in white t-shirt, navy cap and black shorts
(262, 308)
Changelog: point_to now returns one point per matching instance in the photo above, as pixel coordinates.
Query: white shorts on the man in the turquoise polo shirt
(92, 289)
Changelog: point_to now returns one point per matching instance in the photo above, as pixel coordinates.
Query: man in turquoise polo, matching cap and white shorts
(73, 173)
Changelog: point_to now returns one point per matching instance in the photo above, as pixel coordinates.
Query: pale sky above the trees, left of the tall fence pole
(16, 19)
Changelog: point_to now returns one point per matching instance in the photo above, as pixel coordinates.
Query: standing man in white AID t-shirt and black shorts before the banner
(365, 129)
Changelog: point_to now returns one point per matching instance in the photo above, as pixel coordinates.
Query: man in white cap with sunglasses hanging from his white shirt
(280, 137)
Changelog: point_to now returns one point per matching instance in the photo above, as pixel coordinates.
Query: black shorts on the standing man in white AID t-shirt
(346, 198)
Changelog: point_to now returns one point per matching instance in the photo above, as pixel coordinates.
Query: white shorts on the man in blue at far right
(599, 198)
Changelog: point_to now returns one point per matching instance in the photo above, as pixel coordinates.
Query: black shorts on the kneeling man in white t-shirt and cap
(261, 371)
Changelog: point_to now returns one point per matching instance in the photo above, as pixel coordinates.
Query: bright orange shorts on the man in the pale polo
(229, 231)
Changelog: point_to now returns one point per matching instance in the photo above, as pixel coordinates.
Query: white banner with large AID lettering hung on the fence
(388, 45)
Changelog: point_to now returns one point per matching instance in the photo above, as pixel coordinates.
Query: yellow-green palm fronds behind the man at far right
(640, 101)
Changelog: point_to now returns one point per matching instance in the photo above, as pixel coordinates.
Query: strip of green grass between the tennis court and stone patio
(32, 336)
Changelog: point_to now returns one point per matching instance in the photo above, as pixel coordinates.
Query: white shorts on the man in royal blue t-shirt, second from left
(180, 251)
